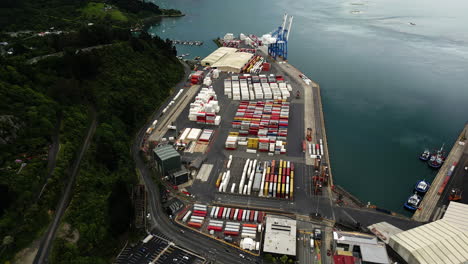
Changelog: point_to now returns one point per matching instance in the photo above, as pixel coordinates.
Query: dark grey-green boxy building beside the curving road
(167, 159)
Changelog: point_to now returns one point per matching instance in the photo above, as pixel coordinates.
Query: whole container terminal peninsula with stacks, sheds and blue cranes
(253, 168)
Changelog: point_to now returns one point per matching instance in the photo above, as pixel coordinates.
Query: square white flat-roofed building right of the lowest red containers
(280, 236)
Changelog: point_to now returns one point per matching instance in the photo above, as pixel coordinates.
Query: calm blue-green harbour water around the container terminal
(389, 88)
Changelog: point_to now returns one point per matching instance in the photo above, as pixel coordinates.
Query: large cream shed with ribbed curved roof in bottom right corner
(443, 241)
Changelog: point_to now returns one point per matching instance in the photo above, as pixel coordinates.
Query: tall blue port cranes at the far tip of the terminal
(278, 40)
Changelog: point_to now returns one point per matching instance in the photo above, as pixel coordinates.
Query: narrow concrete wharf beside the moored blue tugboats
(432, 197)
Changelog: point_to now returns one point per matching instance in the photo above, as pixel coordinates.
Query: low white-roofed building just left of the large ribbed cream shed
(361, 246)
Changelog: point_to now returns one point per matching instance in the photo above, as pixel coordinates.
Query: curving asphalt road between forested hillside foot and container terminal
(205, 246)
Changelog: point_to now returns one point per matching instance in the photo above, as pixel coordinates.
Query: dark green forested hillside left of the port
(53, 100)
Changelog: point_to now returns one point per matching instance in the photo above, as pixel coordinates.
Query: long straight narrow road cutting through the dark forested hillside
(44, 248)
